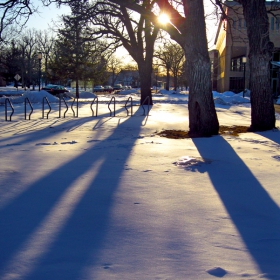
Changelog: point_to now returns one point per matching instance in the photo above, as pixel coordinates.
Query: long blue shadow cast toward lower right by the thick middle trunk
(254, 213)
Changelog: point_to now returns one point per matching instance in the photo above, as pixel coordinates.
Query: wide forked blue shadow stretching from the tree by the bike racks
(29, 241)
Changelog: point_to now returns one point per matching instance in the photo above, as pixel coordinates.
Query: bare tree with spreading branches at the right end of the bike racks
(134, 32)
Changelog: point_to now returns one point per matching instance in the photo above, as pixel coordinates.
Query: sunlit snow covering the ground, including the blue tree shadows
(107, 198)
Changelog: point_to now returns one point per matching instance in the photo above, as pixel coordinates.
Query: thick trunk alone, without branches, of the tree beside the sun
(203, 121)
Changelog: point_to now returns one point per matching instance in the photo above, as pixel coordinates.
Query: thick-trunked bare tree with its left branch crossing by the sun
(187, 28)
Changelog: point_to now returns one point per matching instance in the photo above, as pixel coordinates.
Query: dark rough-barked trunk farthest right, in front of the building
(262, 114)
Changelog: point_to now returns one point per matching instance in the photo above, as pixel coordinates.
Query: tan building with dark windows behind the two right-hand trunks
(230, 67)
